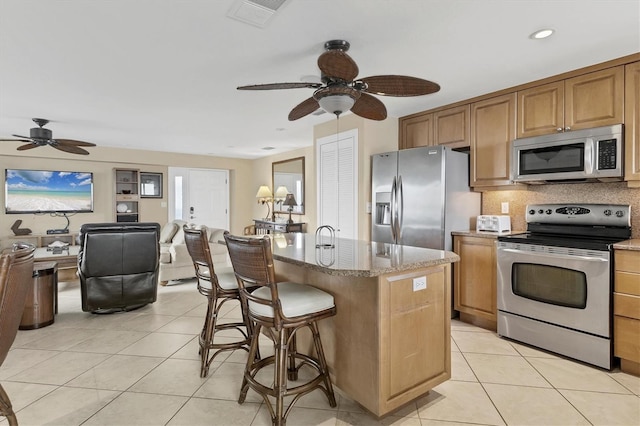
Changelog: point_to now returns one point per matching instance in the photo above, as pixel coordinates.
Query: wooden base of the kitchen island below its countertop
(387, 345)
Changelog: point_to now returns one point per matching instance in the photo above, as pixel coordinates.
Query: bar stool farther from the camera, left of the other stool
(219, 289)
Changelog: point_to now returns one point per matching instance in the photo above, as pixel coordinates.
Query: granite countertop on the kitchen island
(354, 257)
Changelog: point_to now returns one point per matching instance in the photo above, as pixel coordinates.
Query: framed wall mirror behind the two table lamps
(288, 178)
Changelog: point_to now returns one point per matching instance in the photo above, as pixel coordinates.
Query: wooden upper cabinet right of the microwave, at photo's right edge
(632, 124)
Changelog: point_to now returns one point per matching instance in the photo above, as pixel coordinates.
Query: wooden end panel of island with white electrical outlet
(415, 333)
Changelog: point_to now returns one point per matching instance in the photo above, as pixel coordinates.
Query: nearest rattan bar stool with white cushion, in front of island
(279, 310)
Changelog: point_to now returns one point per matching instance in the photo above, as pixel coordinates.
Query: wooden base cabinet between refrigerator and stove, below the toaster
(474, 280)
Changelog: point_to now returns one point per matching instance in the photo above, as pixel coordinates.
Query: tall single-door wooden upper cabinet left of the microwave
(493, 127)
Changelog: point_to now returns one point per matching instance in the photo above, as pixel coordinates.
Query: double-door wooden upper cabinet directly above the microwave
(590, 100)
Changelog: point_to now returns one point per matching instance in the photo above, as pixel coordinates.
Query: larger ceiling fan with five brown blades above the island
(340, 91)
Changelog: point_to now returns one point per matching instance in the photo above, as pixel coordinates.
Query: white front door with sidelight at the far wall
(200, 196)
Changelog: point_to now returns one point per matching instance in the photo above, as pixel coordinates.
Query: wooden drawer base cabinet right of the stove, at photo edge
(626, 310)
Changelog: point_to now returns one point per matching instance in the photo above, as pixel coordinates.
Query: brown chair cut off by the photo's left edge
(16, 275)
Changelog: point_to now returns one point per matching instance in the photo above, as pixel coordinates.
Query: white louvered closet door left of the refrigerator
(337, 171)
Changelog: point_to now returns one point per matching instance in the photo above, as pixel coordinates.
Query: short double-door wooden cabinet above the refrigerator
(448, 127)
